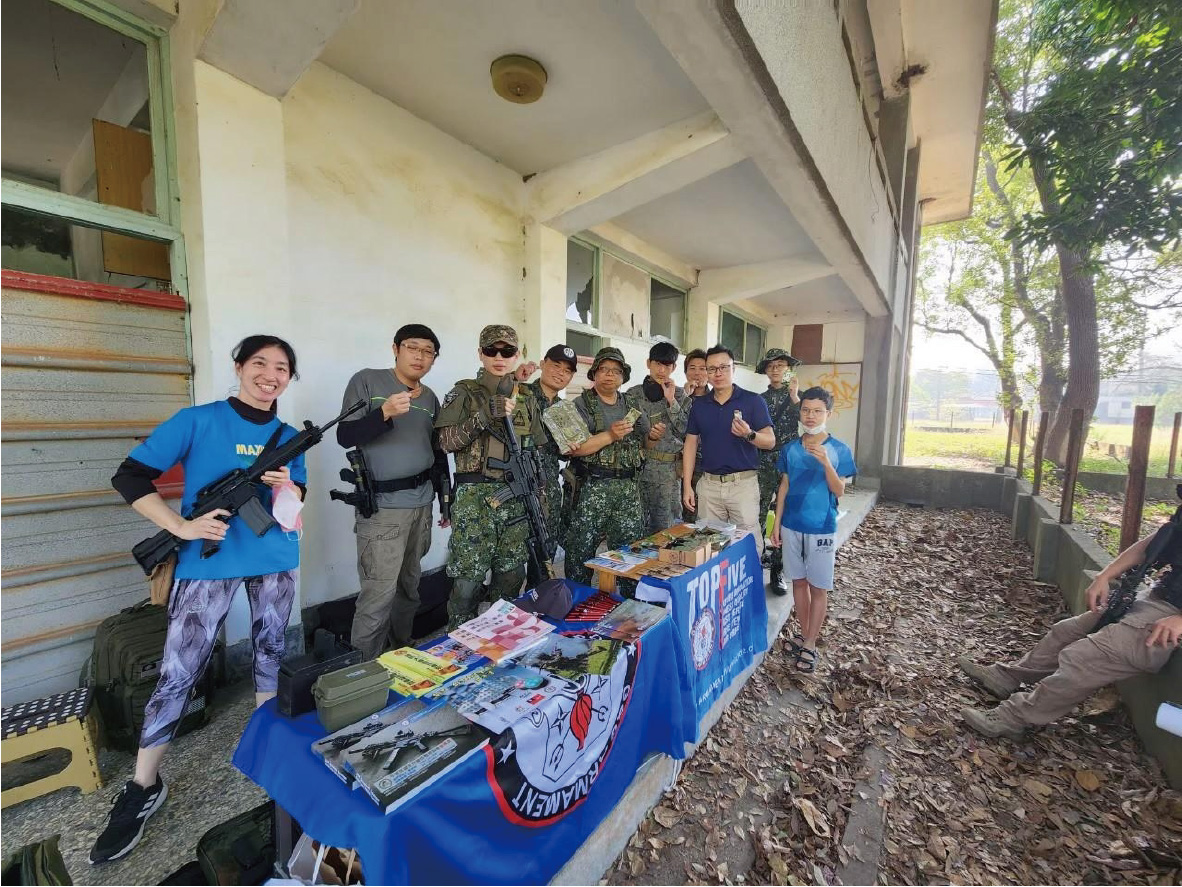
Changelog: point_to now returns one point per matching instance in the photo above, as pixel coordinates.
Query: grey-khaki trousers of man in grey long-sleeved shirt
(391, 547)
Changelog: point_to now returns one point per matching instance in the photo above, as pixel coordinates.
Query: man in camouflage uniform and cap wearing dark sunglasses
(472, 426)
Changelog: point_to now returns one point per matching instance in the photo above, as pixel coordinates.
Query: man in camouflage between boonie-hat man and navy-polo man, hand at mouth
(667, 406)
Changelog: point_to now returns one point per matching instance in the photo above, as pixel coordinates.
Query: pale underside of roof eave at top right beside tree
(954, 42)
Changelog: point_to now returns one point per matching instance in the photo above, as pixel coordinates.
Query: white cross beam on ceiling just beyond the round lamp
(605, 186)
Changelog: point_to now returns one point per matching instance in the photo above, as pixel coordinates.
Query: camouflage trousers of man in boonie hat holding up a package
(608, 510)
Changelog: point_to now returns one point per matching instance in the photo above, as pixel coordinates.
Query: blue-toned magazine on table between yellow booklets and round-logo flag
(497, 697)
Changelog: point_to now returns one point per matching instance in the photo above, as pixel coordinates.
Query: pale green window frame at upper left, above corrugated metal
(165, 225)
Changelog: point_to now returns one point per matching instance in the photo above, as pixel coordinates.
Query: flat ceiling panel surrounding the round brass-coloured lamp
(609, 77)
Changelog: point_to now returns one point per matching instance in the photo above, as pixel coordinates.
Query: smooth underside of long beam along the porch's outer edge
(707, 40)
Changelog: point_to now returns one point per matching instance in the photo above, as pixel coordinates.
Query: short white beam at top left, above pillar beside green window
(269, 44)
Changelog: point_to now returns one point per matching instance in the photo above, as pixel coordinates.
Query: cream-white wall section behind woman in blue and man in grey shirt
(391, 222)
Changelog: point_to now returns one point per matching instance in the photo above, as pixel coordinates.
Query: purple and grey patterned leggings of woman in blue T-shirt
(197, 611)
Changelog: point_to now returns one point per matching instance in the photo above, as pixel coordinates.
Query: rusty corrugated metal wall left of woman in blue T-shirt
(88, 372)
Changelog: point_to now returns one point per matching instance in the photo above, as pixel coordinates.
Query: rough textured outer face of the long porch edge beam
(802, 46)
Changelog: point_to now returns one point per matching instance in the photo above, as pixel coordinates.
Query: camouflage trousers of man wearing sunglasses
(482, 539)
